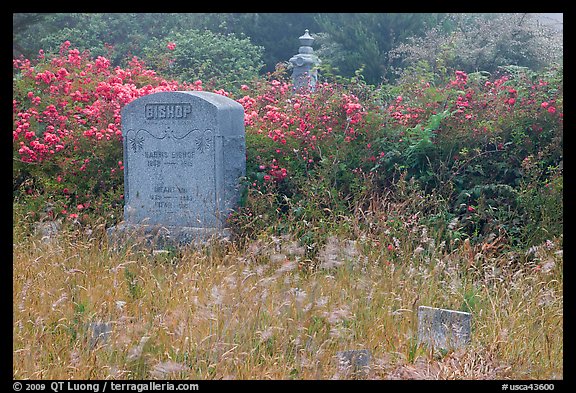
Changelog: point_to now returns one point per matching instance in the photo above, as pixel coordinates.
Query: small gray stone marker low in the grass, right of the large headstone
(443, 329)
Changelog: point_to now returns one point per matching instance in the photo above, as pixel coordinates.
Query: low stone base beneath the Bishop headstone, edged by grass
(160, 236)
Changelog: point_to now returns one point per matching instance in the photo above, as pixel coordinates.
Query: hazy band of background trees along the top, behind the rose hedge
(379, 44)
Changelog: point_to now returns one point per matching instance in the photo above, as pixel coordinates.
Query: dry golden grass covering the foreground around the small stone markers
(262, 312)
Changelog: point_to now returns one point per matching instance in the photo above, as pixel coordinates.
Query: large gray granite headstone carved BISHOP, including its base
(184, 154)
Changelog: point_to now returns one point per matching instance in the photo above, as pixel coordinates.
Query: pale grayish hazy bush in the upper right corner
(484, 42)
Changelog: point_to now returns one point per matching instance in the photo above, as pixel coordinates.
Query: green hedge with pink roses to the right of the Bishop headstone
(437, 145)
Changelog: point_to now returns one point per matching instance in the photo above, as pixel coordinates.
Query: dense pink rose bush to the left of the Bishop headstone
(67, 128)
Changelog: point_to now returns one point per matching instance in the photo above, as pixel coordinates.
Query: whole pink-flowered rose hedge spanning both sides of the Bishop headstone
(309, 156)
